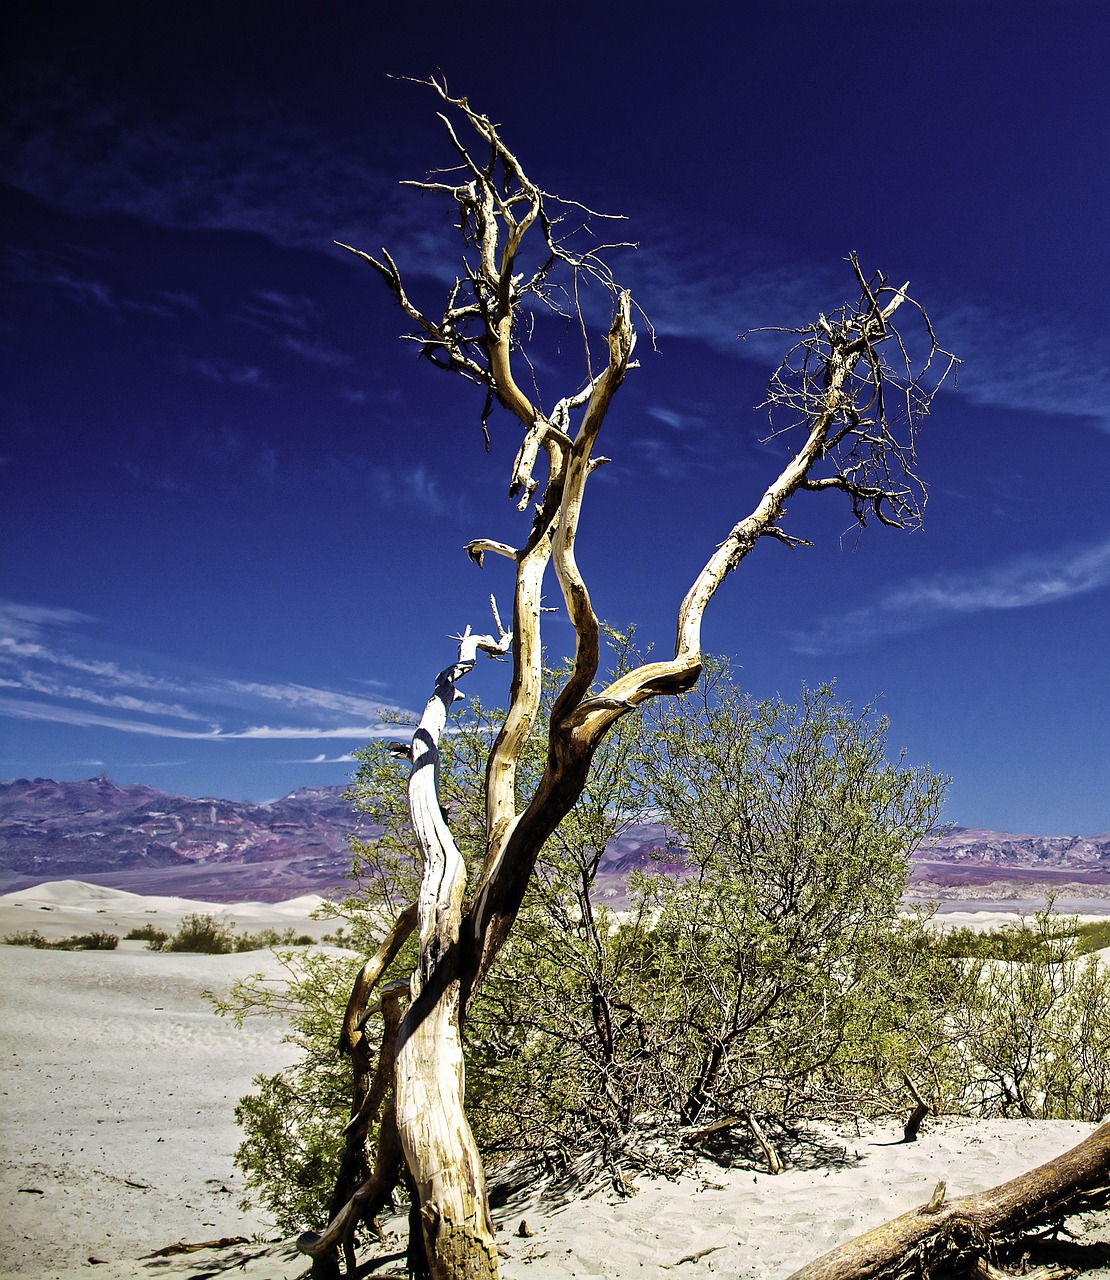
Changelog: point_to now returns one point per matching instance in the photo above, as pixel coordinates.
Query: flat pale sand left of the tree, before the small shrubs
(118, 1089)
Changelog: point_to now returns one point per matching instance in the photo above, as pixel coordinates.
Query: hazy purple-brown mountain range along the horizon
(150, 842)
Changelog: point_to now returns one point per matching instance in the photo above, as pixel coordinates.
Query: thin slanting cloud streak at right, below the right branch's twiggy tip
(1022, 583)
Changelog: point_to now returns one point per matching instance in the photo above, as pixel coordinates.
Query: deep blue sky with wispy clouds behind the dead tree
(235, 505)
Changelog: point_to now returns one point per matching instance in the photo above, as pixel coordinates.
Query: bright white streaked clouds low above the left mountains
(47, 678)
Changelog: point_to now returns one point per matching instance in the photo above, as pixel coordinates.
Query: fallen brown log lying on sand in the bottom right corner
(965, 1229)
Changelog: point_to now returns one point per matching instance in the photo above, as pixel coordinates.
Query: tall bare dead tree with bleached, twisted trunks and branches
(851, 403)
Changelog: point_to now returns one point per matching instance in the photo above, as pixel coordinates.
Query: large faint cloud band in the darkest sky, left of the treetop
(252, 166)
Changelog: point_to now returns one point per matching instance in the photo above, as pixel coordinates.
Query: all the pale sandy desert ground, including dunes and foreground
(118, 1089)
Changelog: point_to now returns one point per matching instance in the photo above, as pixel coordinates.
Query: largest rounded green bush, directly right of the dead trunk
(765, 972)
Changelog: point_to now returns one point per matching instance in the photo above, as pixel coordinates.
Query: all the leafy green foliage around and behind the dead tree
(765, 971)
